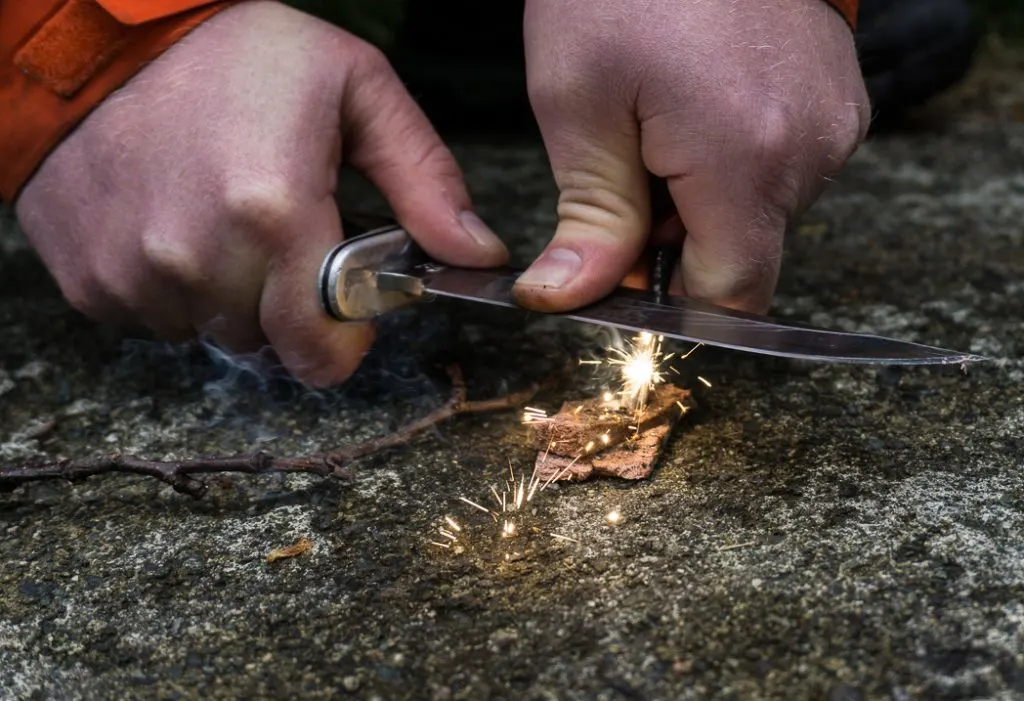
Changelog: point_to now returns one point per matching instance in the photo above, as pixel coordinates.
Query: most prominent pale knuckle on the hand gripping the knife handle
(269, 204)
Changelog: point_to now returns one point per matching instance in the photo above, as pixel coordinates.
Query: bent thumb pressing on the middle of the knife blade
(604, 204)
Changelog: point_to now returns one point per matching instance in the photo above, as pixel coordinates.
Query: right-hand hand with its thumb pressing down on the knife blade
(745, 109)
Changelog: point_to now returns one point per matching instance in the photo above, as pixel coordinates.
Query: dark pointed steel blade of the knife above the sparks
(688, 320)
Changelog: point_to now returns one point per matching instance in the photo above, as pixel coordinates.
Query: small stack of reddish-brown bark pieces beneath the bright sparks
(629, 455)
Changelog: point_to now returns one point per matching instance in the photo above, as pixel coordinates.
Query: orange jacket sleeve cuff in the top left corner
(60, 59)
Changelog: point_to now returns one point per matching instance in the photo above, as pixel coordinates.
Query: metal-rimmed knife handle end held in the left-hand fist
(349, 285)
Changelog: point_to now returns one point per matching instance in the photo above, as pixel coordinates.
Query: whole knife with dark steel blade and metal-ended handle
(383, 270)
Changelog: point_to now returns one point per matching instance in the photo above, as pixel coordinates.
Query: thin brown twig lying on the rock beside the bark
(181, 473)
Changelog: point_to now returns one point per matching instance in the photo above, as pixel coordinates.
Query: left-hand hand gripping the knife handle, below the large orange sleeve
(200, 198)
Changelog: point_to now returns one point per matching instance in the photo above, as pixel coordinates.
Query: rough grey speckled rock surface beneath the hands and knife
(813, 533)
